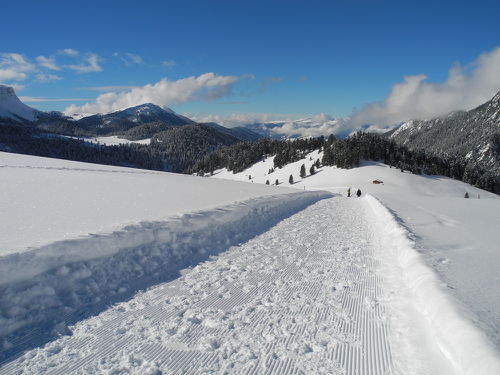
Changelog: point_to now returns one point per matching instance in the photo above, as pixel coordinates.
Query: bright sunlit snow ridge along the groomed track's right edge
(461, 342)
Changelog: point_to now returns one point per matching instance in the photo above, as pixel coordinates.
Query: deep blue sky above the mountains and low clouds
(284, 57)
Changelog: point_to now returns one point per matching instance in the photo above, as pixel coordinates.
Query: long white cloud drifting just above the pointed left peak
(206, 86)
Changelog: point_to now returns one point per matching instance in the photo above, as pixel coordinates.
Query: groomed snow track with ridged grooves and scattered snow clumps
(309, 296)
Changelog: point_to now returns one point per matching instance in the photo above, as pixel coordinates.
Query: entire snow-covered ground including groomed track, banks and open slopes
(155, 273)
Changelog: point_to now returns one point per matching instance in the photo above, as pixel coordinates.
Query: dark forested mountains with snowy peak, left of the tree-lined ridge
(177, 142)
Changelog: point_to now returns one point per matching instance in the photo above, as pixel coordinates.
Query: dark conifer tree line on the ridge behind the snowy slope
(347, 153)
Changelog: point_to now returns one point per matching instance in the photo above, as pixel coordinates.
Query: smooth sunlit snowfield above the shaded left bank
(44, 200)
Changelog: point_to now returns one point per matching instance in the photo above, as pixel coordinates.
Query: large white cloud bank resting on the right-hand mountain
(465, 88)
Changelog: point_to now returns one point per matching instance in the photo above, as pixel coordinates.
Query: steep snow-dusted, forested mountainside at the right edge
(473, 135)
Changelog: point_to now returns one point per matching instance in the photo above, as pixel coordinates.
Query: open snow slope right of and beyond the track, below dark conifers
(457, 237)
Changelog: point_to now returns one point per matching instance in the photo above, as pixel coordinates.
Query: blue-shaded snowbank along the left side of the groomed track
(48, 285)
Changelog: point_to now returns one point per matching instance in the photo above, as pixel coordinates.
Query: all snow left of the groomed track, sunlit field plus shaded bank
(75, 235)
